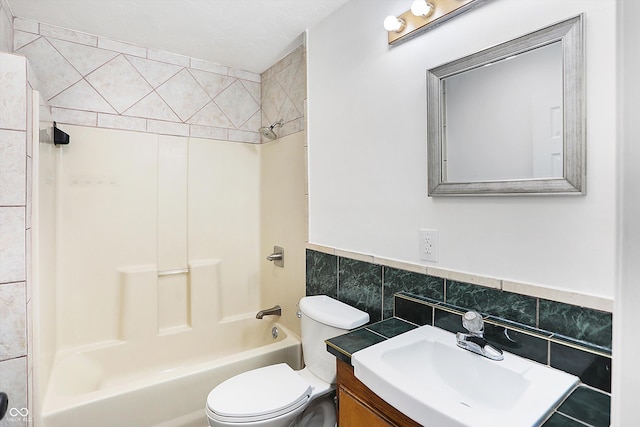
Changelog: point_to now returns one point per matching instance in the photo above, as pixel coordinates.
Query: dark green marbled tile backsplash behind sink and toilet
(569, 337)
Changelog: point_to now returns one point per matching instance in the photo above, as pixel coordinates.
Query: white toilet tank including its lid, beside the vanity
(322, 318)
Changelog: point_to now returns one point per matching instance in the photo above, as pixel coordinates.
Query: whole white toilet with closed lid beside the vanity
(278, 396)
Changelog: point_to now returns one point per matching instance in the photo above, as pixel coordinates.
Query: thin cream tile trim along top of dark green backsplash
(537, 291)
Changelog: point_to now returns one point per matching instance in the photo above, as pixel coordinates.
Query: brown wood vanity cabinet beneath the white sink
(358, 406)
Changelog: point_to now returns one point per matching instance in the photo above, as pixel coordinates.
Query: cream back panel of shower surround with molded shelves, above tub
(148, 229)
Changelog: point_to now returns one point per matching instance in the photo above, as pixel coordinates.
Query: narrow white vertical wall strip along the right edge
(626, 382)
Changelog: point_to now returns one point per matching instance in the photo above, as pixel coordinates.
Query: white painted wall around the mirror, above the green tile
(367, 149)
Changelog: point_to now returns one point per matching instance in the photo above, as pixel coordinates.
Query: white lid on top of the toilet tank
(329, 311)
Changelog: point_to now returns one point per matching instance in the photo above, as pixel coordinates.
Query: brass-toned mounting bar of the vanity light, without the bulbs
(443, 11)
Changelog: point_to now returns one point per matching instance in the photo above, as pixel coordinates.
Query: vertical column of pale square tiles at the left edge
(15, 232)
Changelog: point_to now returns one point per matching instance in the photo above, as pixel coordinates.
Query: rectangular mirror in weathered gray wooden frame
(509, 120)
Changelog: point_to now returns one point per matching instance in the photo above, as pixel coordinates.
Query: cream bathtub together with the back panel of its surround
(158, 278)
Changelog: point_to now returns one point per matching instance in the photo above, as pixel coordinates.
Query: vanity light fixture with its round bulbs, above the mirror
(423, 15)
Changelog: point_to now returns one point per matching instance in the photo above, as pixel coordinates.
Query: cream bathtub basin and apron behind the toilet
(162, 381)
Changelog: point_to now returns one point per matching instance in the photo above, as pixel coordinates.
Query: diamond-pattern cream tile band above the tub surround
(94, 81)
